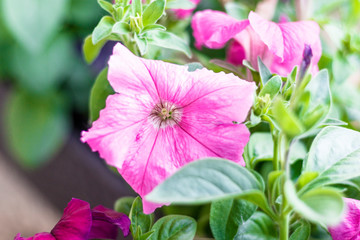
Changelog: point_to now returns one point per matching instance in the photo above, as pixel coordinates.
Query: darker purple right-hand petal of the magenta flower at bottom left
(106, 223)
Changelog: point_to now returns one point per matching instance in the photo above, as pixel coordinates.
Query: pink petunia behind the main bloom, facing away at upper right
(279, 45)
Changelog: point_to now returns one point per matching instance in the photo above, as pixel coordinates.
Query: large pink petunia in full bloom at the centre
(163, 117)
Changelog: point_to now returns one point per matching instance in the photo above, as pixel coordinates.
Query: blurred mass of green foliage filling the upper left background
(41, 59)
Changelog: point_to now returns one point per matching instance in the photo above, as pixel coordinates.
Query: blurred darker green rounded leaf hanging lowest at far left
(36, 127)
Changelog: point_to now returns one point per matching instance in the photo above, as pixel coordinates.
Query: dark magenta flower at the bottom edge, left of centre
(79, 222)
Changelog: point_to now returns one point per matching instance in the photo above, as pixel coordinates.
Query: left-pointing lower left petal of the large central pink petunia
(118, 126)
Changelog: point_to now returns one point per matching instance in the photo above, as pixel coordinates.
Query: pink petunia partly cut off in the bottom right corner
(349, 228)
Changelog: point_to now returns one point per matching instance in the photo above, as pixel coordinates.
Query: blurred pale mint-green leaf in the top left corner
(34, 22)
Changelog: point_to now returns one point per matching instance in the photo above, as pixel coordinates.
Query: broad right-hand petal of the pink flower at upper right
(285, 42)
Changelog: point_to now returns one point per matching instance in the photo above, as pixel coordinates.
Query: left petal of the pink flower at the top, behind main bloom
(214, 28)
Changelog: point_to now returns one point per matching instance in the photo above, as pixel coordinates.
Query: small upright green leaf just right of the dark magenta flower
(139, 220)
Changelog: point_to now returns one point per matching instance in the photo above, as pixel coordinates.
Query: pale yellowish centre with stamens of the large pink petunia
(165, 114)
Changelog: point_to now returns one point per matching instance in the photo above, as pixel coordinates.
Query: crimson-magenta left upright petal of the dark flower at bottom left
(75, 223)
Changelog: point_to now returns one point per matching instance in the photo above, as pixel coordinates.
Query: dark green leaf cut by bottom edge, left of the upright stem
(258, 226)
